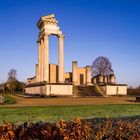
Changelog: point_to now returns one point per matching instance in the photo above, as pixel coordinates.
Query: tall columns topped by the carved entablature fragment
(48, 26)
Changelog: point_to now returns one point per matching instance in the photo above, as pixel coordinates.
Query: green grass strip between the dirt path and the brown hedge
(33, 114)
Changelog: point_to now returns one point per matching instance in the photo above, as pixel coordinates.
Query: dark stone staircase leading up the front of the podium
(85, 91)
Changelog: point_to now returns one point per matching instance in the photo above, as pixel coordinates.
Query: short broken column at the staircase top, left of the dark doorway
(74, 73)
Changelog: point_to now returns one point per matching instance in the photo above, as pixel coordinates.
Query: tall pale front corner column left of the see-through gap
(46, 58)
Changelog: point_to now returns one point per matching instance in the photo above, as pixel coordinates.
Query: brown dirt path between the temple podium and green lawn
(72, 101)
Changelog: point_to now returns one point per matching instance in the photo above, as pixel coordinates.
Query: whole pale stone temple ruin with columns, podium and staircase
(51, 80)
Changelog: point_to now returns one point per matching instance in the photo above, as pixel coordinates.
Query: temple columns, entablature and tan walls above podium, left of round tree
(52, 73)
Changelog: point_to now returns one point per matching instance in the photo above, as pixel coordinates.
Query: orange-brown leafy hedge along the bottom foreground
(105, 129)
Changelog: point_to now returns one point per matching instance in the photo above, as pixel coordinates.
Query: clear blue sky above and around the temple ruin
(92, 28)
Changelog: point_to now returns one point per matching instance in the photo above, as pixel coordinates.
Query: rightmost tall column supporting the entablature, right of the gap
(61, 59)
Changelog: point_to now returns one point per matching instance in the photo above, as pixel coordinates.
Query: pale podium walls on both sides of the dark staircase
(67, 90)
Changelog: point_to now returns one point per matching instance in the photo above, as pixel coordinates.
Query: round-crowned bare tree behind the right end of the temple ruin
(101, 66)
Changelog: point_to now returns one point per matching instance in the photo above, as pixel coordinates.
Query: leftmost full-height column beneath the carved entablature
(39, 61)
